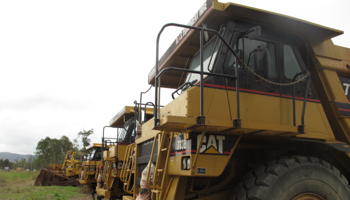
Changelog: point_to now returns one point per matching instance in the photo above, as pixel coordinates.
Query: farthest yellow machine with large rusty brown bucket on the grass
(65, 175)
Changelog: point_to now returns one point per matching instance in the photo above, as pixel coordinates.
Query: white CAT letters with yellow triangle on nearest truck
(212, 144)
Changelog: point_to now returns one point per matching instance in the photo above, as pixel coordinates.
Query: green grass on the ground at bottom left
(25, 189)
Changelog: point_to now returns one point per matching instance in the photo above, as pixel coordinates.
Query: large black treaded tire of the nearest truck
(294, 178)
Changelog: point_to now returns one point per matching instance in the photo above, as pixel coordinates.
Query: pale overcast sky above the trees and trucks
(70, 65)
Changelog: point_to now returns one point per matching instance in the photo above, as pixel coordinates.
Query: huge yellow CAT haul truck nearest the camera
(260, 111)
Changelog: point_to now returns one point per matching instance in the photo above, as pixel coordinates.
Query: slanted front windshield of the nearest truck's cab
(209, 55)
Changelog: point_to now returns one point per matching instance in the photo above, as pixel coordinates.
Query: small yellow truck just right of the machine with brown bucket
(88, 175)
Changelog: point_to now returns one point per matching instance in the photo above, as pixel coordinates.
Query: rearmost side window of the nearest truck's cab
(290, 63)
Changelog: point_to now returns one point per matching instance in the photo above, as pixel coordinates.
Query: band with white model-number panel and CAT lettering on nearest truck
(211, 144)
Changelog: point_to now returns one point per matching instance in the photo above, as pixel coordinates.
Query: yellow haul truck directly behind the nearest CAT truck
(119, 155)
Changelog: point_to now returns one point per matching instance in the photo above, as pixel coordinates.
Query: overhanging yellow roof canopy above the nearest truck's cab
(214, 13)
